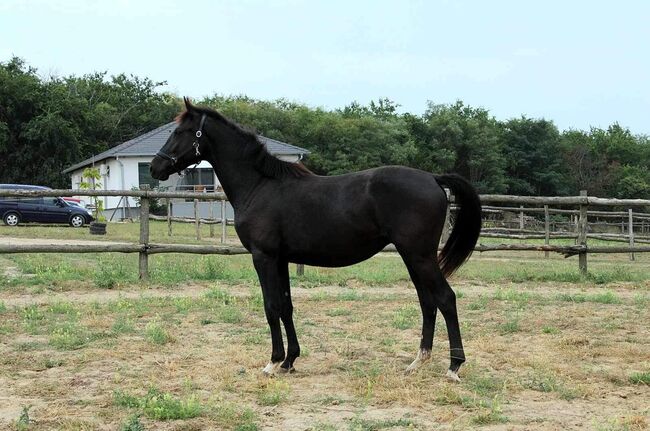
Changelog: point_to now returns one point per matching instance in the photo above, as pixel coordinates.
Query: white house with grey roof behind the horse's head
(126, 166)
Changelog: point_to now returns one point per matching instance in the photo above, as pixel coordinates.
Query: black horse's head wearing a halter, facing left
(184, 146)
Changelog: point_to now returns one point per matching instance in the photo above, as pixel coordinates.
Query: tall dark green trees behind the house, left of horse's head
(49, 124)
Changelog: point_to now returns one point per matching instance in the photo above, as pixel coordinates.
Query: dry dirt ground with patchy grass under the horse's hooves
(535, 360)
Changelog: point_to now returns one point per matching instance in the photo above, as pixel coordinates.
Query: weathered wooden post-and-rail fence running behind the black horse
(145, 248)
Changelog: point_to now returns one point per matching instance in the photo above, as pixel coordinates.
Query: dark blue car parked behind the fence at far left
(41, 209)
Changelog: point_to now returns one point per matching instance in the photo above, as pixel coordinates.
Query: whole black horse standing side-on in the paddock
(285, 213)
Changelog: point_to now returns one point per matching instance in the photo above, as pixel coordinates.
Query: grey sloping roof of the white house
(151, 142)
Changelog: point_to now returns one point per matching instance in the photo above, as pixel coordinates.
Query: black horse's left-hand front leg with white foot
(268, 271)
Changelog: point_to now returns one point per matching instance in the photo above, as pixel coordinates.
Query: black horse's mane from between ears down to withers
(263, 161)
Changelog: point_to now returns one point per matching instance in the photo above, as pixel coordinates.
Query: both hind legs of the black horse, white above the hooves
(434, 292)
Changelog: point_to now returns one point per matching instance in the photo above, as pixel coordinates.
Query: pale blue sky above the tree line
(578, 63)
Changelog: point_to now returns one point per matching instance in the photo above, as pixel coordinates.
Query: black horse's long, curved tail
(467, 228)
